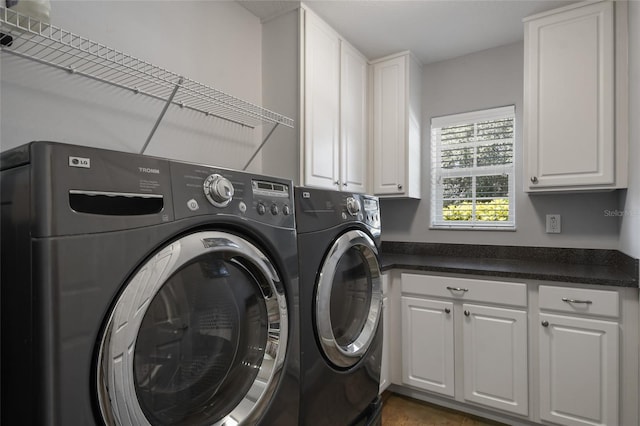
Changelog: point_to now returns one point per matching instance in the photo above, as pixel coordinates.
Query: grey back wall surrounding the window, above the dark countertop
(489, 79)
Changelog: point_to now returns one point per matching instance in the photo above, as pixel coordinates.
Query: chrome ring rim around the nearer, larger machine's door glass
(116, 378)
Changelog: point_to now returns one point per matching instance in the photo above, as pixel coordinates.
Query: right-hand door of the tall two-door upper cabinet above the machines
(353, 120)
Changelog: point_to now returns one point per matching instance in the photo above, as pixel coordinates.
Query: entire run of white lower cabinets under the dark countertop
(523, 353)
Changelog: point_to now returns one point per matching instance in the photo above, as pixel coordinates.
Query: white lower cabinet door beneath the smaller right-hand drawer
(579, 375)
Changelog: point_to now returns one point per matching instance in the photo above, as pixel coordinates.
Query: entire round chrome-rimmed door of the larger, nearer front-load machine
(197, 337)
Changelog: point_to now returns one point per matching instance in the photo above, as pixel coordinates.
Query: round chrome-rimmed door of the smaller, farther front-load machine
(348, 299)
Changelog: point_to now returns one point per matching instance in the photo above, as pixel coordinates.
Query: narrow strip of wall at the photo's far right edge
(630, 200)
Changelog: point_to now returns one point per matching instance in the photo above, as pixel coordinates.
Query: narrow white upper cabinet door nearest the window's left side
(389, 125)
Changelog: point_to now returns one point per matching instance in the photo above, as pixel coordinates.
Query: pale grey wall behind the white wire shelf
(217, 43)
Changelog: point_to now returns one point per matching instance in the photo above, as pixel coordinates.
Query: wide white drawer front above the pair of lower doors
(466, 289)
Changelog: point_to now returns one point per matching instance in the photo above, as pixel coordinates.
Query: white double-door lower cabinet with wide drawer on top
(490, 341)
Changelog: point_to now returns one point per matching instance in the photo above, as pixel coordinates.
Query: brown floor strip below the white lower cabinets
(399, 410)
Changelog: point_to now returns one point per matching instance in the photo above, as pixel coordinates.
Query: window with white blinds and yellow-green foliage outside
(472, 171)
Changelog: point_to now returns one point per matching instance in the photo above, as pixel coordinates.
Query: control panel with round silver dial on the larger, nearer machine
(206, 190)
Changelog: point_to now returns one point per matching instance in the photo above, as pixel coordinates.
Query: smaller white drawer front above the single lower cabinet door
(580, 300)
